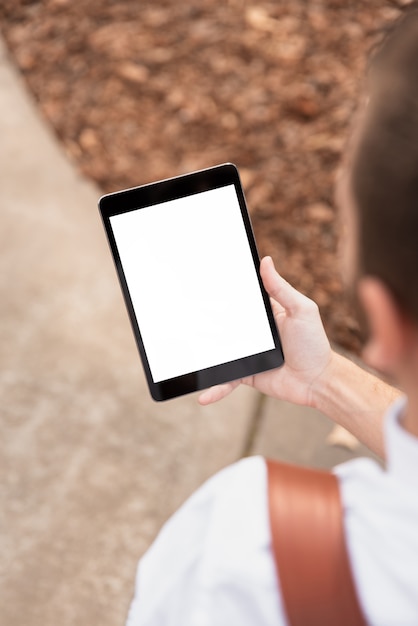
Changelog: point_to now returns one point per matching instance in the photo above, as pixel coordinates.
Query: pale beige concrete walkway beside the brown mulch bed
(90, 465)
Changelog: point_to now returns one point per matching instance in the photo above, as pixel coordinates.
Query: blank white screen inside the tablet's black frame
(192, 282)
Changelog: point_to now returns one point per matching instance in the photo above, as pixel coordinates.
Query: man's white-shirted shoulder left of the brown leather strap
(219, 539)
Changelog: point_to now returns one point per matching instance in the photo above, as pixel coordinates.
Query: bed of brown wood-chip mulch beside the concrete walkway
(138, 91)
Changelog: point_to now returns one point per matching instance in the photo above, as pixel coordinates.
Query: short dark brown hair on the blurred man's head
(384, 174)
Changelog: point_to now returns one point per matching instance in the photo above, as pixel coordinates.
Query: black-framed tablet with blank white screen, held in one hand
(188, 266)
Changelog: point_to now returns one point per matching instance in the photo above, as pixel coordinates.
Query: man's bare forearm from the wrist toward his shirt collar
(355, 399)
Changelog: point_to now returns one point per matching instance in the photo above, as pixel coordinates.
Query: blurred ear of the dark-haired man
(389, 338)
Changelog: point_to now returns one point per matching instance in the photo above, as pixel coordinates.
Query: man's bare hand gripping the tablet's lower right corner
(306, 347)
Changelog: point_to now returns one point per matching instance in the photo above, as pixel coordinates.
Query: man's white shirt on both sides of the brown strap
(212, 562)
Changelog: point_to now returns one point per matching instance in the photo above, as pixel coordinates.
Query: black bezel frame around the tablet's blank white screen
(164, 191)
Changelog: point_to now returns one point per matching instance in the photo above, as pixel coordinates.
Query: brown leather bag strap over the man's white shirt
(309, 547)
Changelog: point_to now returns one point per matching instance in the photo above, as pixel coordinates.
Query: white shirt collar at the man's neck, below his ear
(401, 446)
